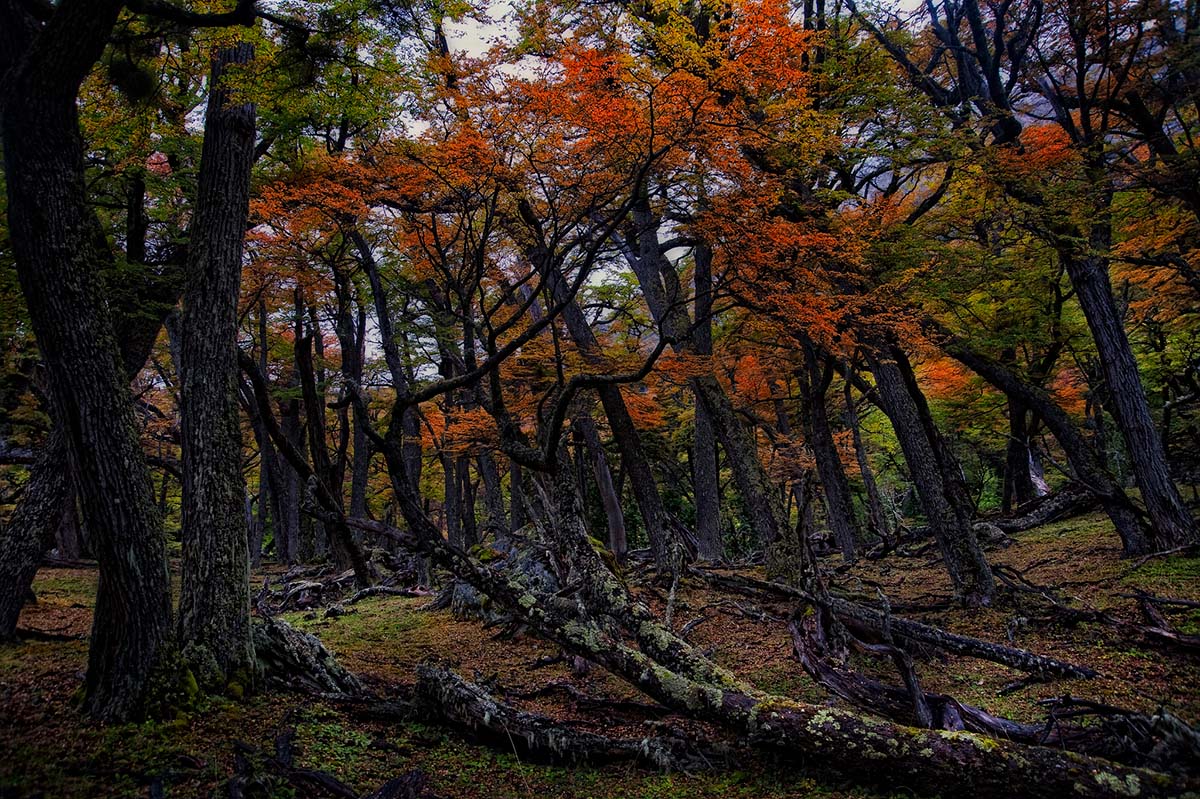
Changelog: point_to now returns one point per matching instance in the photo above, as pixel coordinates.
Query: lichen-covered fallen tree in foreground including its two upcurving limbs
(674, 674)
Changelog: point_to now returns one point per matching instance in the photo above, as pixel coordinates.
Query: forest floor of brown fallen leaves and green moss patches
(49, 750)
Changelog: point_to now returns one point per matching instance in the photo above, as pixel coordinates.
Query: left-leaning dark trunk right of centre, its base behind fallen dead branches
(952, 527)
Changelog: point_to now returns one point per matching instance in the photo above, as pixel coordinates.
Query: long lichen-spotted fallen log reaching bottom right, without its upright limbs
(953, 764)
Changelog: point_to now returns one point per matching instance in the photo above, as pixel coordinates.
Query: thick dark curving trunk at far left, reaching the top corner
(59, 249)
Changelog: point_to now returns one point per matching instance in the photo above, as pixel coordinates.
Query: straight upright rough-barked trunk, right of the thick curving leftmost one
(214, 606)
